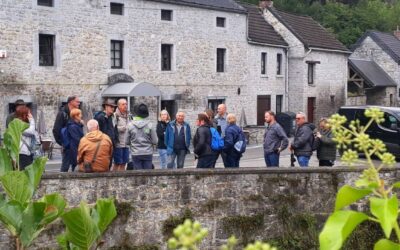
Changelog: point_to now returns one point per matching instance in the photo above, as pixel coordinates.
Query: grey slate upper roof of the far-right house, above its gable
(388, 42)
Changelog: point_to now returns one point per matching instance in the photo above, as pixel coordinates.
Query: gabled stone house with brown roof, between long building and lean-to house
(317, 63)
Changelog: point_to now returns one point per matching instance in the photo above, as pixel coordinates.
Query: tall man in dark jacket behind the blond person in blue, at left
(61, 122)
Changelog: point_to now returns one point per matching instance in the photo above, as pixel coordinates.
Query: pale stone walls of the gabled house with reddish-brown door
(330, 74)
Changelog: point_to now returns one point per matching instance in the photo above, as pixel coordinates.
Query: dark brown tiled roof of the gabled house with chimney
(308, 31)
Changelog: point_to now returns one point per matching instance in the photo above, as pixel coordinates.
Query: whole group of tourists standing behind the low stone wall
(116, 140)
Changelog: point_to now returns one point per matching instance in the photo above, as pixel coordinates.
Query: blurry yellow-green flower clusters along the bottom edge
(190, 234)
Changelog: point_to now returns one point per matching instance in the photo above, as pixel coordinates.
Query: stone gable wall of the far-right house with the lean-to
(370, 50)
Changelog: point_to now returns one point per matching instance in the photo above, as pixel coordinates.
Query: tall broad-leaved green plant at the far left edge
(23, 217)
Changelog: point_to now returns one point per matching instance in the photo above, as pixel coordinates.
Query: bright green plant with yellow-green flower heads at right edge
(384, 208)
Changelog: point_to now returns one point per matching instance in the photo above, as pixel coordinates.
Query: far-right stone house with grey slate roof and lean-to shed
(374, 69)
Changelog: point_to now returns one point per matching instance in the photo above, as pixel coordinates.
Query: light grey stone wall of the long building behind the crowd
(83, 31)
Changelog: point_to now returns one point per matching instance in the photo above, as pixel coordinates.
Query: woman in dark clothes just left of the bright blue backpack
(202, 143)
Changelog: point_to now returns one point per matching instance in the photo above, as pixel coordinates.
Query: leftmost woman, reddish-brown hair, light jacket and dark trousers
(28, 137)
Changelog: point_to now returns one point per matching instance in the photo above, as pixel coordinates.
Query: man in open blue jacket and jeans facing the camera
(177, 140)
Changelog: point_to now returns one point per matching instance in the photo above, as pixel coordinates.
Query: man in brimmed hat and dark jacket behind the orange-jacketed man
(105, 119)
